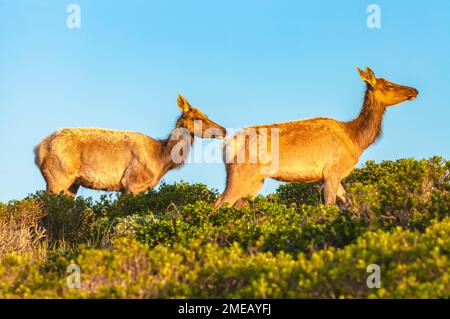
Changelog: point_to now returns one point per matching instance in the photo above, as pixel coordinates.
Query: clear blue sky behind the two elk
(241, 62)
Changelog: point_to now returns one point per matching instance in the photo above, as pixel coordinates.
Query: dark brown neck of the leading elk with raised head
(367, 127)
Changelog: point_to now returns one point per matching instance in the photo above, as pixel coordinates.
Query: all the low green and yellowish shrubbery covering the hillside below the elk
(171, 242)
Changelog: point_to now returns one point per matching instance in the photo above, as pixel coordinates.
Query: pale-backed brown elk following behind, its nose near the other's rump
(121, 161)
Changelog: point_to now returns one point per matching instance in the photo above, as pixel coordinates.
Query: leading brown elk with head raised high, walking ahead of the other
(315, 149)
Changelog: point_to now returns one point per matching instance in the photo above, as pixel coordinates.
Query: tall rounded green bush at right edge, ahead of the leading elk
(406, 192)
